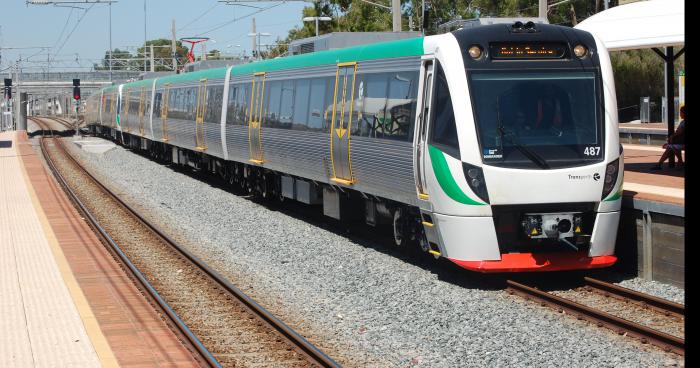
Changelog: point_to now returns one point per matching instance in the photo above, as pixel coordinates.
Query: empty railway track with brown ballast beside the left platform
(225, 326)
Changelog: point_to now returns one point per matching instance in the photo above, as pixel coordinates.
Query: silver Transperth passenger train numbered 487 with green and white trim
(495, 147)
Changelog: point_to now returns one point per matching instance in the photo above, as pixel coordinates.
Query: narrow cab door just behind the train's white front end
(422, 123)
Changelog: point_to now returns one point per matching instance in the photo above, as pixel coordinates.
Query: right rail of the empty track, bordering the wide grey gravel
(315, 354)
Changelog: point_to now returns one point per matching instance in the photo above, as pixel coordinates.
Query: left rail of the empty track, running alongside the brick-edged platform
(176, 320)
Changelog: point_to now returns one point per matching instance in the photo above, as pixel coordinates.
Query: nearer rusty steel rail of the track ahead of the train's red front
(600, 318)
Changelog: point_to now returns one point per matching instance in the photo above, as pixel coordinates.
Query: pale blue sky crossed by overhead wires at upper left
(47, 29)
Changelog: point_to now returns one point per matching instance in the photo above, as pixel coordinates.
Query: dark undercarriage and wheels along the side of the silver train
(349, 207)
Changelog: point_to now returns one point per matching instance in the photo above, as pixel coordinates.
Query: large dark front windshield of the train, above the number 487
(538, 119)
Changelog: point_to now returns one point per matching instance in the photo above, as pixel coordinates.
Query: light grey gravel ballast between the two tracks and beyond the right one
(365, 304)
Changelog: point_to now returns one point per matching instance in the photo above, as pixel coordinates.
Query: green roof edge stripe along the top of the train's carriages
(380, 50)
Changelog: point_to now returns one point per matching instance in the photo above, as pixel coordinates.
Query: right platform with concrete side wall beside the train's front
(651, 236)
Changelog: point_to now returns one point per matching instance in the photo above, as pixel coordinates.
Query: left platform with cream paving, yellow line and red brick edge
(65, 302)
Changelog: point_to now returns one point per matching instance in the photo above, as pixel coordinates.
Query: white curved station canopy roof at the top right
(639, 25)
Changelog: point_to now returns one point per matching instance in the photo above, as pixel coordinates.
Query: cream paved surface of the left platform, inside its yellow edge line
(40, 324)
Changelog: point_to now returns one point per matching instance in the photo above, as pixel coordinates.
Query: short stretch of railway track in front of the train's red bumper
(627, 312)
